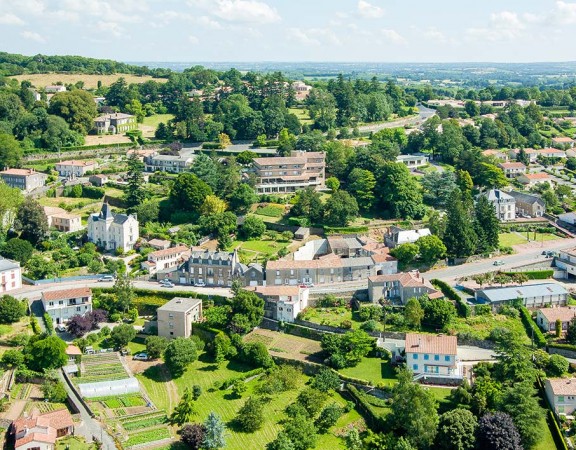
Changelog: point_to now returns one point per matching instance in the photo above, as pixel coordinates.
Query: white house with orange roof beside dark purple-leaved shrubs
(64, 304)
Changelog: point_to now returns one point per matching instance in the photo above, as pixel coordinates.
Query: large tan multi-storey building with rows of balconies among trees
(284, 174)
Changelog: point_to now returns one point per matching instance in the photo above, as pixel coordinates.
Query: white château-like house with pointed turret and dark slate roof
(113, 231)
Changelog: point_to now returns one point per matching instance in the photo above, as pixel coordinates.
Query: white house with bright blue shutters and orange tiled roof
(432, 355)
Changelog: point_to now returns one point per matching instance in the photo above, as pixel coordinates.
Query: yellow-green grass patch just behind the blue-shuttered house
(479, 327)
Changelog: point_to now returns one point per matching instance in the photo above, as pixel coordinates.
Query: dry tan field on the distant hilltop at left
(41, 80)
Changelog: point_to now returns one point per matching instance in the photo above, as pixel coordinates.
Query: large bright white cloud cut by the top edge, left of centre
(241, 11)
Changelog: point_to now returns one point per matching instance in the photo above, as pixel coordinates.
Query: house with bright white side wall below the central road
(283, 303)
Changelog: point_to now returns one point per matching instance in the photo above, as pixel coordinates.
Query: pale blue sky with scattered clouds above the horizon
(293, 30)
